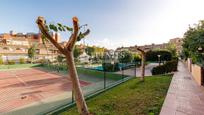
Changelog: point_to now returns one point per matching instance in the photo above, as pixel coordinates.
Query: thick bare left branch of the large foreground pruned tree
(41, 24)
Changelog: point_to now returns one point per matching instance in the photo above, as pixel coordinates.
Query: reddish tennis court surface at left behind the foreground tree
(23, 87)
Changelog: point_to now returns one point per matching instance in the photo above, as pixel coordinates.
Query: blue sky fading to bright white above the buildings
(113, 23)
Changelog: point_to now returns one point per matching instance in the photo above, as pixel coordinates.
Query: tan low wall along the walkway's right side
(197, 73)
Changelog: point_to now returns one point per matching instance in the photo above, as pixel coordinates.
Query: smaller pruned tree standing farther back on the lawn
(143, 63)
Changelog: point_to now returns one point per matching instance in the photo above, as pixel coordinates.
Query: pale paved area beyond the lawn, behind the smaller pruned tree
(131, 72)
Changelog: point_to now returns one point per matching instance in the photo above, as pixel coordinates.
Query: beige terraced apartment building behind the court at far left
(15, 45)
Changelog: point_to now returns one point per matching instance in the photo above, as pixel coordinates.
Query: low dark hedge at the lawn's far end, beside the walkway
(169, 66)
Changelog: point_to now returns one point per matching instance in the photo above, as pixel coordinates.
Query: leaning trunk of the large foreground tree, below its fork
(80, 101)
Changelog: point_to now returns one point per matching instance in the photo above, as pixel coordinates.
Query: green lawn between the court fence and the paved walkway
(131, 98)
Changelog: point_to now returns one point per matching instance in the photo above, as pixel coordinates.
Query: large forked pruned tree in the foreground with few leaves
(67, 50)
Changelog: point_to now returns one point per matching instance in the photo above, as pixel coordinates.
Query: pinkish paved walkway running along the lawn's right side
(184, 96)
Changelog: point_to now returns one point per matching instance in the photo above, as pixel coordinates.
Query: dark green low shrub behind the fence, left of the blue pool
(110, 67)
